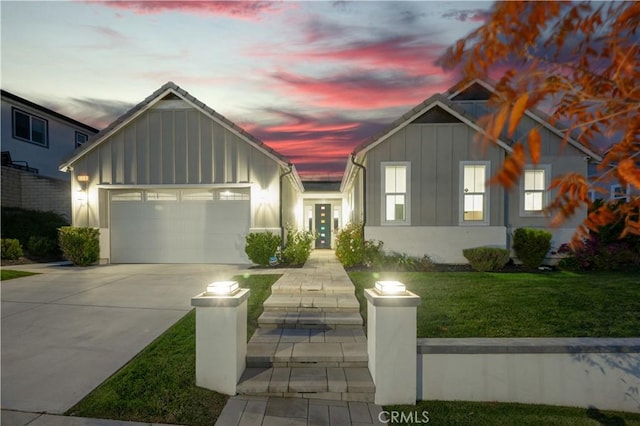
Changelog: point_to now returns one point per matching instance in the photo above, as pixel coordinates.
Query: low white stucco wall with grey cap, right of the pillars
(581, 372)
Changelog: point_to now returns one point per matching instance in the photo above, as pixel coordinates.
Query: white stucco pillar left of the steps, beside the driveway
(221, 340)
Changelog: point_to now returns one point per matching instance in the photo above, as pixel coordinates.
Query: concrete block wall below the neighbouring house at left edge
(35, 192)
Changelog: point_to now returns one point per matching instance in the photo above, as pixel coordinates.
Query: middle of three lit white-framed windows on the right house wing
(474, 193)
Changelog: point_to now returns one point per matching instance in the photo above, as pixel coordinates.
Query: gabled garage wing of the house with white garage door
(173, 181)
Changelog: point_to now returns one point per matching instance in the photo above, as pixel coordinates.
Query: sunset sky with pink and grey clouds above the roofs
(311, 79)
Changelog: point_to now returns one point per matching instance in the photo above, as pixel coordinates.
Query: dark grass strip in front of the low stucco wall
(461, 413)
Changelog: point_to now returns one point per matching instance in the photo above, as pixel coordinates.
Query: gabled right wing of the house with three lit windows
(421, 186)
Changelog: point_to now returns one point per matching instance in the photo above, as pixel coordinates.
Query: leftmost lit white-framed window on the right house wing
(395, 193)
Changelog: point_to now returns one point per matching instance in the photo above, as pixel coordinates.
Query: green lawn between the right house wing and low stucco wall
(555, 304)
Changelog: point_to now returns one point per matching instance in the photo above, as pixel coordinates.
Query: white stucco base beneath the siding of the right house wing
(443, 244)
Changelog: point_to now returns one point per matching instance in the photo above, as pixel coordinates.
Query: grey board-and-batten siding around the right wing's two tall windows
(435, 152)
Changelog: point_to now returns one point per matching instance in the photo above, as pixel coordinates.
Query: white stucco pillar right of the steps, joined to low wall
(391, 344)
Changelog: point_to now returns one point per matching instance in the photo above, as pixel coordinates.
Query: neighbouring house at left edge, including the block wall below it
(35, 140)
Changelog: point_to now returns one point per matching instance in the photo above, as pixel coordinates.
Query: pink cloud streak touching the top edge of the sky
(230, 9)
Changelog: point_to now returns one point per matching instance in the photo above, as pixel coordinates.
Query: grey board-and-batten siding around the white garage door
(174, 145)
